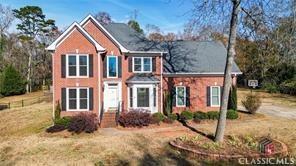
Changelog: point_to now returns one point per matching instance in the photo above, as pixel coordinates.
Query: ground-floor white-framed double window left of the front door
(77, 99)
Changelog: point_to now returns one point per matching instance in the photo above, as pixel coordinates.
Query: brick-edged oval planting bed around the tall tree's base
(233, 147)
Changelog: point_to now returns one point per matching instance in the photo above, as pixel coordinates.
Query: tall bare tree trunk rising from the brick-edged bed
(227, 73)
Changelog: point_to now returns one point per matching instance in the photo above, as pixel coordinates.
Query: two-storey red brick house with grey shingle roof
(107, 68)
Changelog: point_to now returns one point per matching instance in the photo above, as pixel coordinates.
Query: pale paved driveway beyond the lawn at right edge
(276, 110)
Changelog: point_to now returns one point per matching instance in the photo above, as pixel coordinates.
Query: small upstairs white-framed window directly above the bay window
(142, 64)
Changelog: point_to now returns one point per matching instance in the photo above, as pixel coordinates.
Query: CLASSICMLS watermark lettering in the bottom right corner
(267, 161)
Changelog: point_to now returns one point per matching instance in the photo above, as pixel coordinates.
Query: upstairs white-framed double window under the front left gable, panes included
(77, 65)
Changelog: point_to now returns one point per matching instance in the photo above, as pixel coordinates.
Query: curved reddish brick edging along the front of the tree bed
(283, 152)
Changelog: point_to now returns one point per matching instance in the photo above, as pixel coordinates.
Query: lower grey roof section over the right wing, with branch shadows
(197, 58)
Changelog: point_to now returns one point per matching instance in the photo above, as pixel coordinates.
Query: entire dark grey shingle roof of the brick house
(182, 57)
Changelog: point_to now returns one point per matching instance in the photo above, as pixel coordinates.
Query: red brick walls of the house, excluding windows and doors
(77, 43)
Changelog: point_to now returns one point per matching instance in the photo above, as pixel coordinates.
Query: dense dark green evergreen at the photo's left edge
(11, 82)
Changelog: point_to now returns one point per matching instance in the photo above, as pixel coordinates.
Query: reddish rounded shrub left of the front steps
(87, 122)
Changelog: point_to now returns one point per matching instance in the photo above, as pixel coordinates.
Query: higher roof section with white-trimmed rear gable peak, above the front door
(126, 38)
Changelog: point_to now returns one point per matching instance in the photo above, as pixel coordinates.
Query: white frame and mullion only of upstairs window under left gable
(77, 66)
